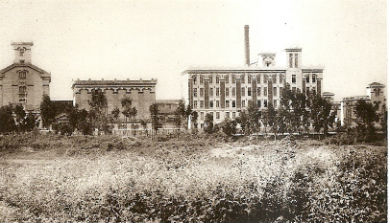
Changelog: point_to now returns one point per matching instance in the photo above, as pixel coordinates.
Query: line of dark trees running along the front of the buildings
(297, 113)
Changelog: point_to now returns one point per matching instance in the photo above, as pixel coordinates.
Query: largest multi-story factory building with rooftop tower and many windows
(225, 92)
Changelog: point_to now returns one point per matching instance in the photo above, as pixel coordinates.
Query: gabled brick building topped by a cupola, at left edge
(22, 82)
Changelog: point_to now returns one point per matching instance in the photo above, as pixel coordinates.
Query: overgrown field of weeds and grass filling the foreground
(187, 179)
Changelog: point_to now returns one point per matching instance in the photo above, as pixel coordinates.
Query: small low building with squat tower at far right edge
(374, 94)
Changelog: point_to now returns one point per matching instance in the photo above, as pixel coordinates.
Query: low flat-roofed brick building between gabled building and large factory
(140, 92)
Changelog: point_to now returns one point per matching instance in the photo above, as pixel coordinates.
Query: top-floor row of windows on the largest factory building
(249, 78)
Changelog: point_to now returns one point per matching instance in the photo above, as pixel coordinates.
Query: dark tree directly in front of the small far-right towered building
(365, 117)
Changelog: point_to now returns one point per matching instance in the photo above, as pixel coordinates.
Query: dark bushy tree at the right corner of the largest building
(320, 114)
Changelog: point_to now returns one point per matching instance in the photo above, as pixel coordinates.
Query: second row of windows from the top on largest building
(233, 91)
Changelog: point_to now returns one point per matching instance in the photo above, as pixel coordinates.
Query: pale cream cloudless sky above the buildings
(159, 39)
